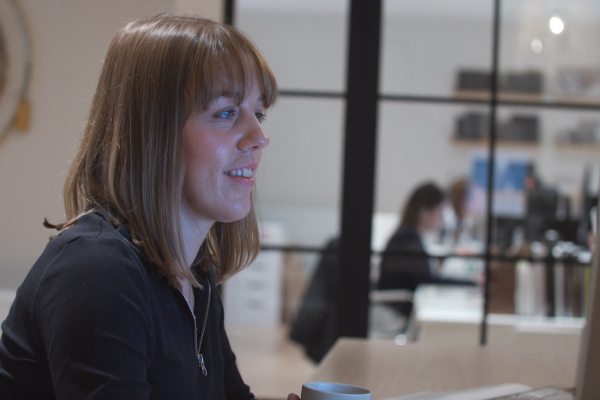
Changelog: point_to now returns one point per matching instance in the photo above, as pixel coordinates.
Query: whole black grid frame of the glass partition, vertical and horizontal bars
(360, 138)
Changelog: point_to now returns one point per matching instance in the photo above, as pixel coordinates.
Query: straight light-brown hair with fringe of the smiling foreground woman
(130, 163)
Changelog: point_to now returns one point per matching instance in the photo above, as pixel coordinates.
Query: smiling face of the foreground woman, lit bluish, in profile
(223, 147)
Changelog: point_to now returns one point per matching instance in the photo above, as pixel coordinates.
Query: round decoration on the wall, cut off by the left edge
(14, 63)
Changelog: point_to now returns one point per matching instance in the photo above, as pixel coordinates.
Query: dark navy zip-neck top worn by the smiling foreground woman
(95, 320)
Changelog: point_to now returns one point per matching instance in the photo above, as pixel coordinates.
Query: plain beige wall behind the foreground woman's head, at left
(69, 39)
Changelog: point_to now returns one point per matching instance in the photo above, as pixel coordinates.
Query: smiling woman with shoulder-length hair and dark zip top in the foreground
(122, 303)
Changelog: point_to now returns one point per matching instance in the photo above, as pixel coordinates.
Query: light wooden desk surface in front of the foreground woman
(390, 370)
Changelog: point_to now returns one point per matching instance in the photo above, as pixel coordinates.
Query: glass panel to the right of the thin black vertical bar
(547, 168)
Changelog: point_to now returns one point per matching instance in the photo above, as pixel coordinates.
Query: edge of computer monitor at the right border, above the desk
(588, 370)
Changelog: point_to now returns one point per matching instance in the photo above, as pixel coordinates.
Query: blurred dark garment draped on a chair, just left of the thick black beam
(314, 326)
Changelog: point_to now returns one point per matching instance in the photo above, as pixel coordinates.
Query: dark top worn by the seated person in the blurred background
(408, 271)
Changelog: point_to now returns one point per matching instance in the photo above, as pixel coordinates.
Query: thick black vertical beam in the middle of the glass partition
(359, 167)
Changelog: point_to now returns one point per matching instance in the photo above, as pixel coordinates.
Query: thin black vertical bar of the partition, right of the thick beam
(491, 164)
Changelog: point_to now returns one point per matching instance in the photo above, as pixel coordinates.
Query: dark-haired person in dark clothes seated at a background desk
(422, 214)
